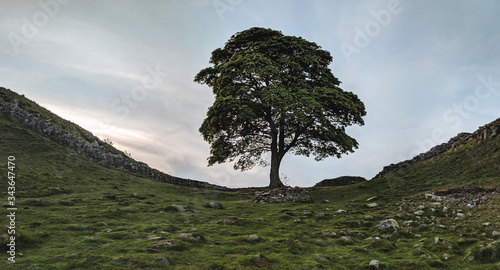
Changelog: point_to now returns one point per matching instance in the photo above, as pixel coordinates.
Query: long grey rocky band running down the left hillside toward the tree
(93, 148)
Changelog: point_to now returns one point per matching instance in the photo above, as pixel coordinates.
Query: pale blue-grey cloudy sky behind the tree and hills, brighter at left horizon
(124, 70)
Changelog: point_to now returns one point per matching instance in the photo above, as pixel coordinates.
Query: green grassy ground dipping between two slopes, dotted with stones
(74, 213)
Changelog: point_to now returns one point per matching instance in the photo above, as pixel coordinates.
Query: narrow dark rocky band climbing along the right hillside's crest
(436, 150)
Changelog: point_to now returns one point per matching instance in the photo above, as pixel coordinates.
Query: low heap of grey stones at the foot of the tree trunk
(281, 195)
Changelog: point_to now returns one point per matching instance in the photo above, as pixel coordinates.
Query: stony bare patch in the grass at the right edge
(468, 196)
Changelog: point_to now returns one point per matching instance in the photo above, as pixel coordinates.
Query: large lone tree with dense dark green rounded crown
(275, 93)
